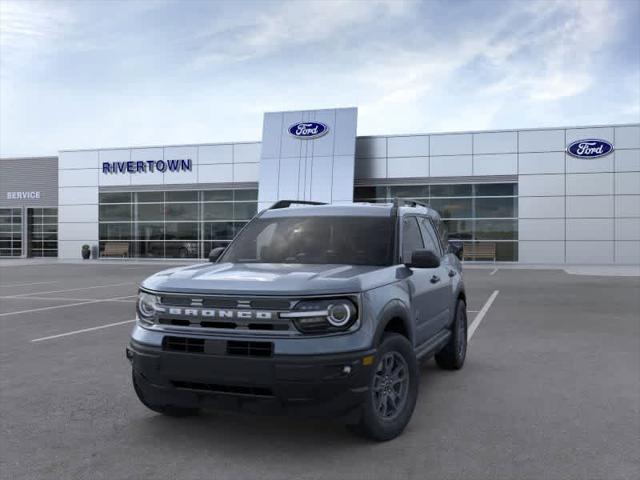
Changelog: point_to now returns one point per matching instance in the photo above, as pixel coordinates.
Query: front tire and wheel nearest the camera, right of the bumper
(388, 406)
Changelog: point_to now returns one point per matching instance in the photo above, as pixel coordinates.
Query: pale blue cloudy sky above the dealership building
(86, 74)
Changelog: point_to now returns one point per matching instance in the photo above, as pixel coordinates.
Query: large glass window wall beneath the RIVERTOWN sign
(173, 224)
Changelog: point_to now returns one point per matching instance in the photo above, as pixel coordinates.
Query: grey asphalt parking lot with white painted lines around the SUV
(551, 389)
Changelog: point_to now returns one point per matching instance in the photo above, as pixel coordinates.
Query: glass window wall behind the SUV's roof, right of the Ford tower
(472, 212)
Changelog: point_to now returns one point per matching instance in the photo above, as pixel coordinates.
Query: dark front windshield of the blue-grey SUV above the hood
(317, 239)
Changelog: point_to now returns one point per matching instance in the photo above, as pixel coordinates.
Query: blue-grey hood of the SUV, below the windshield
(269, 279)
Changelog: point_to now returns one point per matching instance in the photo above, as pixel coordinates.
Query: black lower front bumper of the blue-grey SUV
(310, 385)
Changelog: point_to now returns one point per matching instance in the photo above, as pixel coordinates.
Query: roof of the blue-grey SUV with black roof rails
(347, 209)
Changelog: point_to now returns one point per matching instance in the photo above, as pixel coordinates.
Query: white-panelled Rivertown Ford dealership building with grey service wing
(544, 195)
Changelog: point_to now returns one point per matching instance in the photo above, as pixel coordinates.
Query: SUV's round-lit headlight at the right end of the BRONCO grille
(323, 315)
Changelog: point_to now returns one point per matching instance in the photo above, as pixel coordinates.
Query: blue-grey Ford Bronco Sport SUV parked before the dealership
(312, 309)
